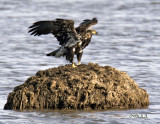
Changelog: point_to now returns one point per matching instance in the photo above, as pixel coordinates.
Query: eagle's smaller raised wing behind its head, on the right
(86, 24)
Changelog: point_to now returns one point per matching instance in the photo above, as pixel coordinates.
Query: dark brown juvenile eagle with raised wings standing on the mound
(72, 40)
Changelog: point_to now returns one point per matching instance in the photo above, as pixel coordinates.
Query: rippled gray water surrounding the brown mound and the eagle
(129, 40)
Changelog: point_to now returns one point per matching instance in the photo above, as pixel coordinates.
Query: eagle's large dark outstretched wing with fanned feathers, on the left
(62, 29)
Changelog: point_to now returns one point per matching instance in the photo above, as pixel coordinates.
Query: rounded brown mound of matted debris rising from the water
(86, 87)
